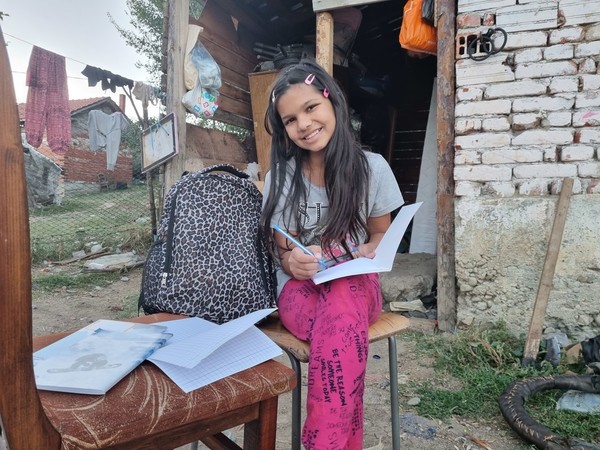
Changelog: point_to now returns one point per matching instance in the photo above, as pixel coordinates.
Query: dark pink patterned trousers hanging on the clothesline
(47, 105)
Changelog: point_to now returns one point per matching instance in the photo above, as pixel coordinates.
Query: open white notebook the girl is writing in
(384, 253)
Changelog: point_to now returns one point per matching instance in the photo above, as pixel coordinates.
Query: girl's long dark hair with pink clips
(346, 170)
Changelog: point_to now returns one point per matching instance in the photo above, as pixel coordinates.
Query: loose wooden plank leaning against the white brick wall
(532, 345)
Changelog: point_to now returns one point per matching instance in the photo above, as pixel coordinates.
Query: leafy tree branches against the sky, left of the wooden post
(146, 17)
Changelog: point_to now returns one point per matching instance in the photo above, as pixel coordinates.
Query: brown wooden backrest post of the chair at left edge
(16, 363)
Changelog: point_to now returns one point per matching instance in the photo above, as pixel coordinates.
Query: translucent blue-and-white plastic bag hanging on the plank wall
(203, 99)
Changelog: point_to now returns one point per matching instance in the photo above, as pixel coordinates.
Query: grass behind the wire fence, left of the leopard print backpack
(115, 219)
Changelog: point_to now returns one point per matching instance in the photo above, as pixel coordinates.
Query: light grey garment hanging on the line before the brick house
(105, 132)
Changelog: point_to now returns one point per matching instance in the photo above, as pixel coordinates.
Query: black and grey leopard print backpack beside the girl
(209, 259)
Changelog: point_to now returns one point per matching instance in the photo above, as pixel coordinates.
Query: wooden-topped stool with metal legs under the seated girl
(387, 326)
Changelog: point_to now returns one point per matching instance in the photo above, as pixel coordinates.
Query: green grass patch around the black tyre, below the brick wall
(473, 368)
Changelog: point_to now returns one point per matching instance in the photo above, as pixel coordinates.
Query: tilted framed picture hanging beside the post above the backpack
(159, 143)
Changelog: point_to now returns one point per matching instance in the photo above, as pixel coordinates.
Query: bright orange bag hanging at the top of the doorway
(417, 35)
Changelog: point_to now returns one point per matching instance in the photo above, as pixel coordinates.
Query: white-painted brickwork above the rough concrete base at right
(529, 115)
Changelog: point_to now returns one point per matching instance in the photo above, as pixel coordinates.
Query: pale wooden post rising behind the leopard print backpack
(177, 39)
